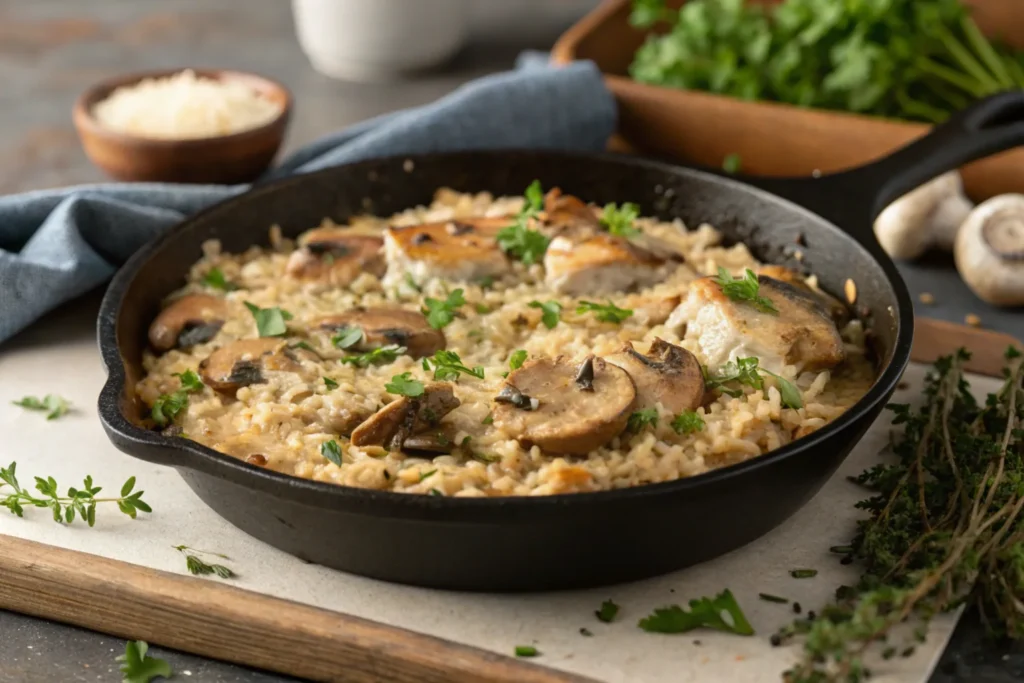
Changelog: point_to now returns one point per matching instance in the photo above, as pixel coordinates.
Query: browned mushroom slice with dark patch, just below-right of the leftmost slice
(243, 363)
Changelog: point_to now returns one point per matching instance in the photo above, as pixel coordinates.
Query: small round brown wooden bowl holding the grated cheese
(225, 159)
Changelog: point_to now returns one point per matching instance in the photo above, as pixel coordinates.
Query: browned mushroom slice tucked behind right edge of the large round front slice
(668, 374)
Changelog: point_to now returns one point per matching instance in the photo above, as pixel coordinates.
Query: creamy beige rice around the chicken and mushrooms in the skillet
(285, 418)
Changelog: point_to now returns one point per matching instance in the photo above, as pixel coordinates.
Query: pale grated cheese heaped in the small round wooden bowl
(184, 106)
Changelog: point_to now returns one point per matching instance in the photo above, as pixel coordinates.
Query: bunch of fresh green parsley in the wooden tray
(914, 60)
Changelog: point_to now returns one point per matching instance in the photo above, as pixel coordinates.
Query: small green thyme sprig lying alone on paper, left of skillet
(79, 503)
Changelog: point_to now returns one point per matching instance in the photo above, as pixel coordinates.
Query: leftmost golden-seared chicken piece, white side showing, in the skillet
(454, 250)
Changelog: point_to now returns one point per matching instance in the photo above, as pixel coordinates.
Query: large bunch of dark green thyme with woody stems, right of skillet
(946, 527)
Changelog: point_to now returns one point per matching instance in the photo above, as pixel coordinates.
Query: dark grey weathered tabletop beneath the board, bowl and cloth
(52, 50)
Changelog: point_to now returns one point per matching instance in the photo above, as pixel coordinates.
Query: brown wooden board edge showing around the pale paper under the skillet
(235, 625)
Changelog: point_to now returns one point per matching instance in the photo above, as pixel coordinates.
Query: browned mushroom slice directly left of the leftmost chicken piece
(337, 257)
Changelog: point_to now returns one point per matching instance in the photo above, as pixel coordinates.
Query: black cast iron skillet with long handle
(567, 541)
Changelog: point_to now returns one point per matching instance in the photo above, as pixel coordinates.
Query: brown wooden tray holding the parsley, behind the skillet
(773, 140)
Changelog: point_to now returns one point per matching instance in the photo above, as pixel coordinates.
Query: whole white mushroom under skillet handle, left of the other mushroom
(927, 217)
